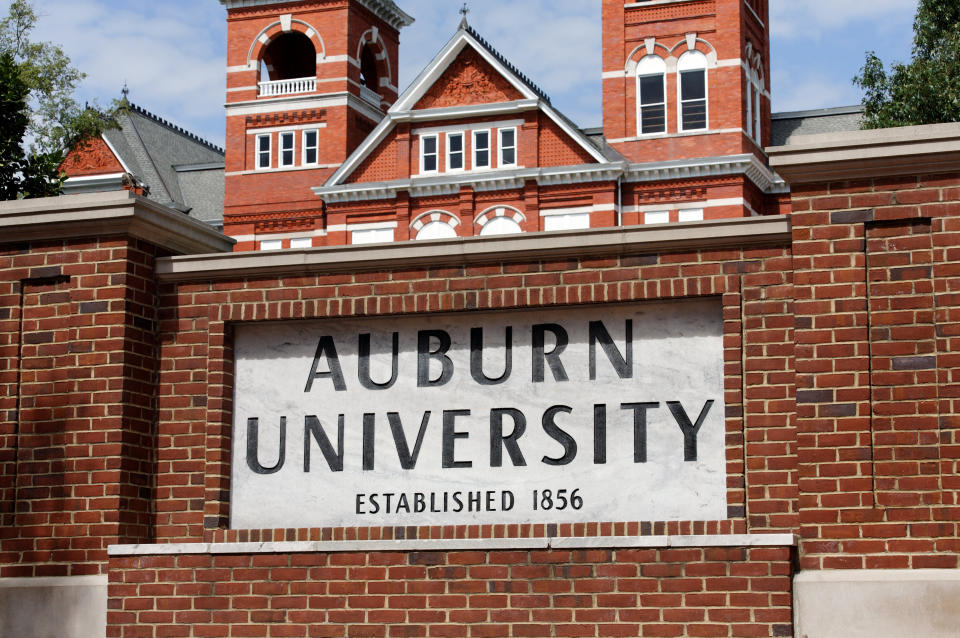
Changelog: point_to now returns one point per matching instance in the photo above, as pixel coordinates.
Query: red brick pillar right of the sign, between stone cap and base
(876, 272)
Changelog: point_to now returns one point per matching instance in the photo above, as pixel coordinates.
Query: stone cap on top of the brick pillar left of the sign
(104, 215)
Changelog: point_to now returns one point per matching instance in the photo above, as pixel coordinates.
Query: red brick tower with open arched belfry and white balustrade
(307, 80)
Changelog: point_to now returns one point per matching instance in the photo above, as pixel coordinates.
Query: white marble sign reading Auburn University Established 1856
(600, 413)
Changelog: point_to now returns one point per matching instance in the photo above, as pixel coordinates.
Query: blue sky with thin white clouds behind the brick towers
(171, 52)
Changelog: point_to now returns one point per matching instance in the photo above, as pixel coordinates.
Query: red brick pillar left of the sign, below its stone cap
(77, 332)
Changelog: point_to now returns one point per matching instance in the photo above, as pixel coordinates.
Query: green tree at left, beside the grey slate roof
(39, 109)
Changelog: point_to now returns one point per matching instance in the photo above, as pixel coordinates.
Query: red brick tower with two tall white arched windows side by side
(686, 78)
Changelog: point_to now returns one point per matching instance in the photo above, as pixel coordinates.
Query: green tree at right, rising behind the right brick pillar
(927, 89)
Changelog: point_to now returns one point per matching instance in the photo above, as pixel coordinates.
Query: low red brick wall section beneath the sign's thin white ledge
(648, 592)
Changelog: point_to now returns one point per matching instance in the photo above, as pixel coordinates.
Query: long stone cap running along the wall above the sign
(773, 230)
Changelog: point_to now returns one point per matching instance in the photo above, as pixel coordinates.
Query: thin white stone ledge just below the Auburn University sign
(489, 544)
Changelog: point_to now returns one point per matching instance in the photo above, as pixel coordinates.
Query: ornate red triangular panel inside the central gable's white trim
(468, 80)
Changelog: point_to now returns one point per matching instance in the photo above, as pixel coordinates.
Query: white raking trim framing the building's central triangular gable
(404, 110)
